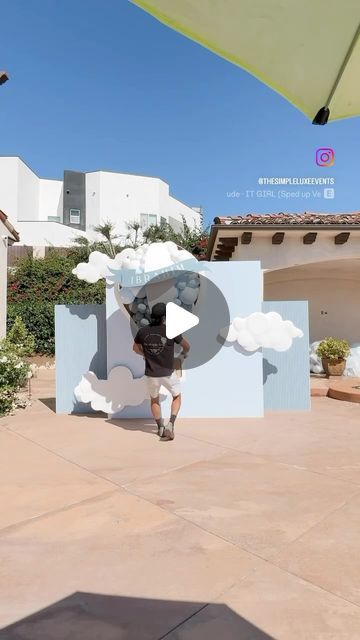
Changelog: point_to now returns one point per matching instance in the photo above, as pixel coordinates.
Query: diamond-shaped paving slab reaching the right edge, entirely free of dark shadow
(249, 501)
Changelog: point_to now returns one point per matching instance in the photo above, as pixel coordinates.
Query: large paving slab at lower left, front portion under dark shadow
(117, 545)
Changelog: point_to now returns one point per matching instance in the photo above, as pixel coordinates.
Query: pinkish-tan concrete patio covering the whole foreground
(242, 529)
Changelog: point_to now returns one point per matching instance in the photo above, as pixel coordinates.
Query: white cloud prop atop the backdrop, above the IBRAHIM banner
(147, 257)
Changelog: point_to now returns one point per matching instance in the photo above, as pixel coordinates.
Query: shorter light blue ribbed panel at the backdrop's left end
(80, 345)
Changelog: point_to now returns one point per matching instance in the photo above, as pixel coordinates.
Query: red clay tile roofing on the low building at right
(290, 218)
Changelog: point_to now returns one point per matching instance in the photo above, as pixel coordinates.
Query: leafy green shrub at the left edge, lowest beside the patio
(13, 374)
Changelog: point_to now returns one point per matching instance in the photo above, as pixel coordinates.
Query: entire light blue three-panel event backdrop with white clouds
(96, 368)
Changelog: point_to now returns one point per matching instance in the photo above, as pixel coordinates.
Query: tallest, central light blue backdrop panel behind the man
(229, 385)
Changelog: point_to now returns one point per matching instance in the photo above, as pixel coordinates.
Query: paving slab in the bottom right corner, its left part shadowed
(273, 605)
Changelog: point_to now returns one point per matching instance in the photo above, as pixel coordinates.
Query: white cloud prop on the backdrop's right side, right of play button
(266, 330)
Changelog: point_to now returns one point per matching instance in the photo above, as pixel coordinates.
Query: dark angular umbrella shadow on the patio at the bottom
(89, 616)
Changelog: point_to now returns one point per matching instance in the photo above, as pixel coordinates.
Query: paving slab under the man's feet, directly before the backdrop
(121, 451)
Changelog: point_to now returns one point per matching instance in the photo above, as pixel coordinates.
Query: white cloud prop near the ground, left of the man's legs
(113, 394)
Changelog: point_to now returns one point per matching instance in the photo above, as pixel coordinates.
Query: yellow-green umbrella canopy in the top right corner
(306, 50)
